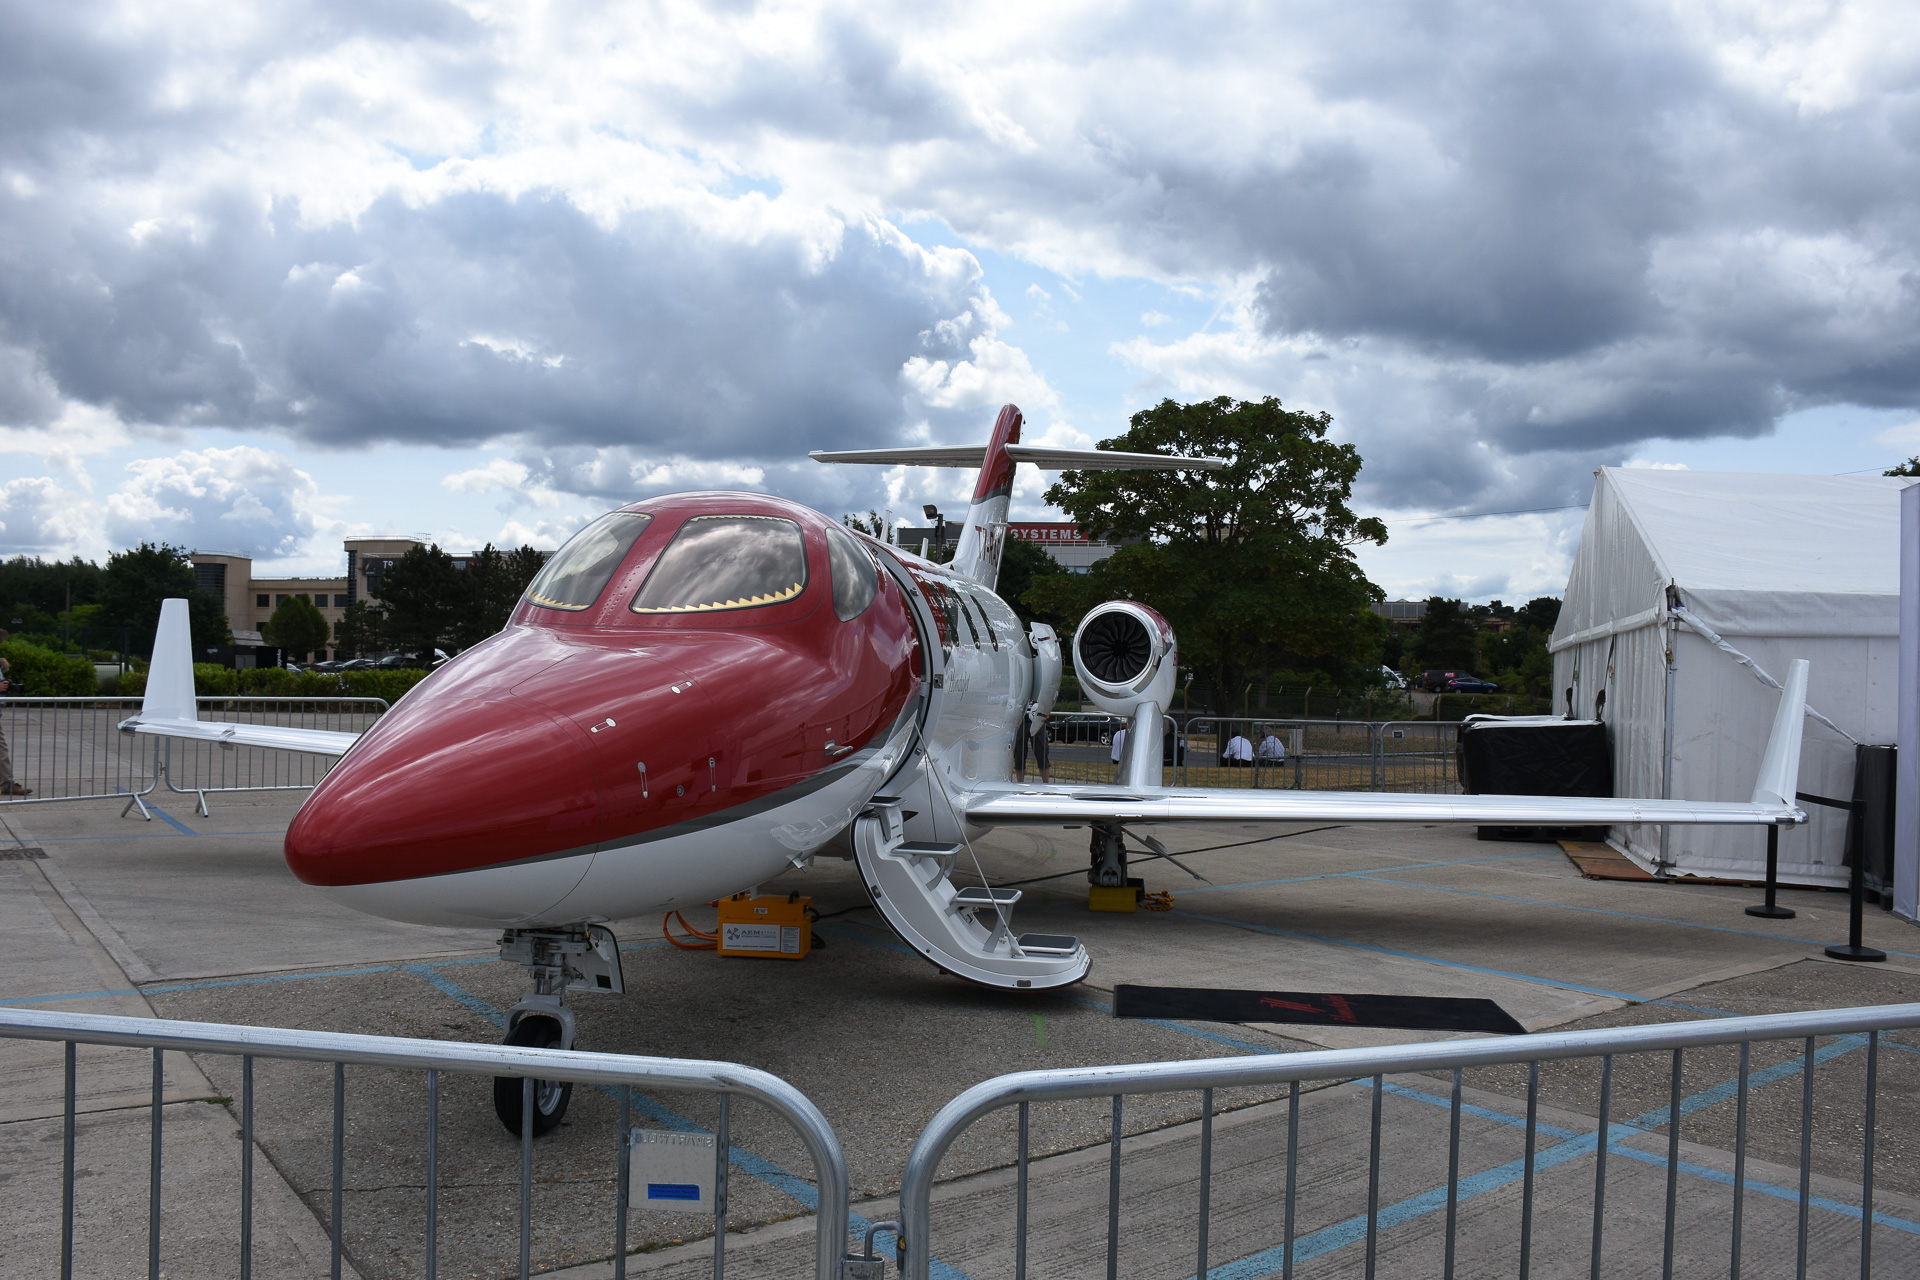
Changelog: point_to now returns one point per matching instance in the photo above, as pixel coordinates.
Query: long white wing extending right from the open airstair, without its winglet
(1053, 805)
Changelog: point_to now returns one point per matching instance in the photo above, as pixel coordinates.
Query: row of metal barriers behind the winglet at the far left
(72, 749)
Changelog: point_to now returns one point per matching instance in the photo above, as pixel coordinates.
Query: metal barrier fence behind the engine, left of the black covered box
(1314, 755)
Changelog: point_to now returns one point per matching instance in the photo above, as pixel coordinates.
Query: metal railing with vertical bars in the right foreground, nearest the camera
(1308, 1187)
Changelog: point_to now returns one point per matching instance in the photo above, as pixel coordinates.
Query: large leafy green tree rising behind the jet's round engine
(1253, 563)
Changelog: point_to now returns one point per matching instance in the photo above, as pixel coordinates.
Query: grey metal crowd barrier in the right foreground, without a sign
(1376, 1064)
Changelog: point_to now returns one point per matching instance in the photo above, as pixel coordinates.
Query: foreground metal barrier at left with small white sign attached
(433, 1056)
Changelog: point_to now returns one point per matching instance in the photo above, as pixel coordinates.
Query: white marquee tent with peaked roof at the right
(1777, 569)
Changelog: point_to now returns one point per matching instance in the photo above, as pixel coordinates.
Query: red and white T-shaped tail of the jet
(984, 534)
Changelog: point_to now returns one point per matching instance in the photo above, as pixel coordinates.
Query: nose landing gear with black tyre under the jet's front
(558, 960)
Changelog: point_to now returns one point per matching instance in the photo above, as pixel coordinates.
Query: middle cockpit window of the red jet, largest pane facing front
(727, 563)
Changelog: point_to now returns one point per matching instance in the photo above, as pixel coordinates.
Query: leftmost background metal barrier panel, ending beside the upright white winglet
(70, 749)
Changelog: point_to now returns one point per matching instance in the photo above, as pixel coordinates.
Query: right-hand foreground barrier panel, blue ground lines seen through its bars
(1299, 1193)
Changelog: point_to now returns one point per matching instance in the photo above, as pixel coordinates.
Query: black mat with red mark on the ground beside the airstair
(1214, 1005)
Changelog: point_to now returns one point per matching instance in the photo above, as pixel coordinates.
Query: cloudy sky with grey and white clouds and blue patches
(477, 272)
